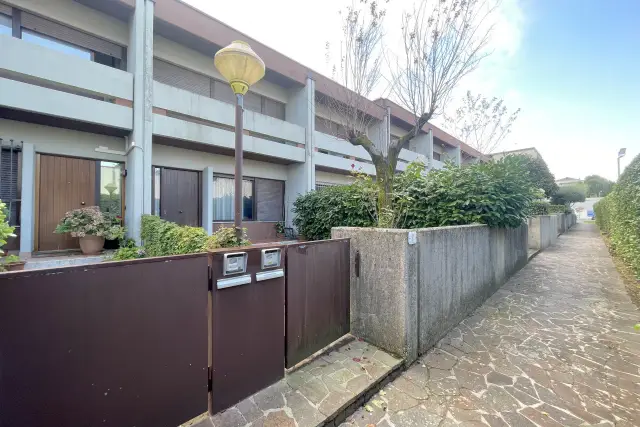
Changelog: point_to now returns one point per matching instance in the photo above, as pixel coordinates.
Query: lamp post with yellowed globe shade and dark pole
(242, 67)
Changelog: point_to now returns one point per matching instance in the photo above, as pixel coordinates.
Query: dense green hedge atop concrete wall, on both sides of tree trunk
(498, 194)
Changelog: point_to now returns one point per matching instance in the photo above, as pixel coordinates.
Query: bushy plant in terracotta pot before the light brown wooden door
(91, 226)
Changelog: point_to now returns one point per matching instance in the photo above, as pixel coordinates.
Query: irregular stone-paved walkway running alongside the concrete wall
(554, 347)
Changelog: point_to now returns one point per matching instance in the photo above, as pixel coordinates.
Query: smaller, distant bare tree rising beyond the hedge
(481, 122)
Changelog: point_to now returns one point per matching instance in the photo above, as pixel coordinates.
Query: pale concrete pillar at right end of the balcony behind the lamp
(301, 177)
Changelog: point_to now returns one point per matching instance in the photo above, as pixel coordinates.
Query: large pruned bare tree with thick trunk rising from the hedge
(443, 41)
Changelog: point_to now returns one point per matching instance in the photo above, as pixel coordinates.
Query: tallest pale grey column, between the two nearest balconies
(139, 149)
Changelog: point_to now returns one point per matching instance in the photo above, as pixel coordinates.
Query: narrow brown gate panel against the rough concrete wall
(317, 289)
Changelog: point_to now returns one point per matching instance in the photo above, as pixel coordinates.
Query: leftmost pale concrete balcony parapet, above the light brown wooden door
(39, 80)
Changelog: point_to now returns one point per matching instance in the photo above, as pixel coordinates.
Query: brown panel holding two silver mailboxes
(247, 328)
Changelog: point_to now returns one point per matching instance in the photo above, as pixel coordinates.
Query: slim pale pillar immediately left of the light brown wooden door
(27, 209)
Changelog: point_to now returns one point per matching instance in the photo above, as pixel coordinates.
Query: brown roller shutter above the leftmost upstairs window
(70, 35)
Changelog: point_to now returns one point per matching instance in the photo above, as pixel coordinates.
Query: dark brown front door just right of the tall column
(180, 196)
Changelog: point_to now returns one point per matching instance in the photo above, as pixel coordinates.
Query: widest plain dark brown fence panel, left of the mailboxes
(112, 344)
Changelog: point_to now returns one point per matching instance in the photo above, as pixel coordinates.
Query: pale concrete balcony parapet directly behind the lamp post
(185, 116)
